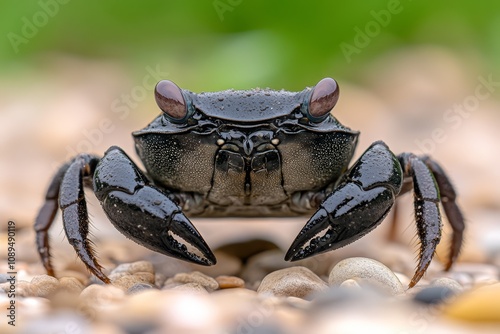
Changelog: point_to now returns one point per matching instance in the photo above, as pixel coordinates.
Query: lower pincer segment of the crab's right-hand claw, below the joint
(346, 215)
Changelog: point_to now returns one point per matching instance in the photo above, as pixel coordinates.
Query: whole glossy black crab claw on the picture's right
(359, 204)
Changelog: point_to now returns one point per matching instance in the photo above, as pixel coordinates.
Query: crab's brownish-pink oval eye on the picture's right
(323, 99)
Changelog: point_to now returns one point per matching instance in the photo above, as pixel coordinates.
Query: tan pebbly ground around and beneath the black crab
(358, 289)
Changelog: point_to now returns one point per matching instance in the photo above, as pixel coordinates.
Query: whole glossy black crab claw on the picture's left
(144, 213)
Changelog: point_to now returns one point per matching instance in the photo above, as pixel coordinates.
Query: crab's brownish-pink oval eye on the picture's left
(170, 100)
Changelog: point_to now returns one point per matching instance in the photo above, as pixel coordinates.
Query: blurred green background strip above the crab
(212, 45)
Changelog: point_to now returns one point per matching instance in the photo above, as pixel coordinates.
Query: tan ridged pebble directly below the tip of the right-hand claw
(295, 281)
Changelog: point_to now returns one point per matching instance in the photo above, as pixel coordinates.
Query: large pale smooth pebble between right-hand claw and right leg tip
(365, 270)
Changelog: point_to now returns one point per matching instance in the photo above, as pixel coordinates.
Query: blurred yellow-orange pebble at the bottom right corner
(478, 305)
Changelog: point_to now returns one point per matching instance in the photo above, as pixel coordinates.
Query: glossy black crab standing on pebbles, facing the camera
(247, 153)
